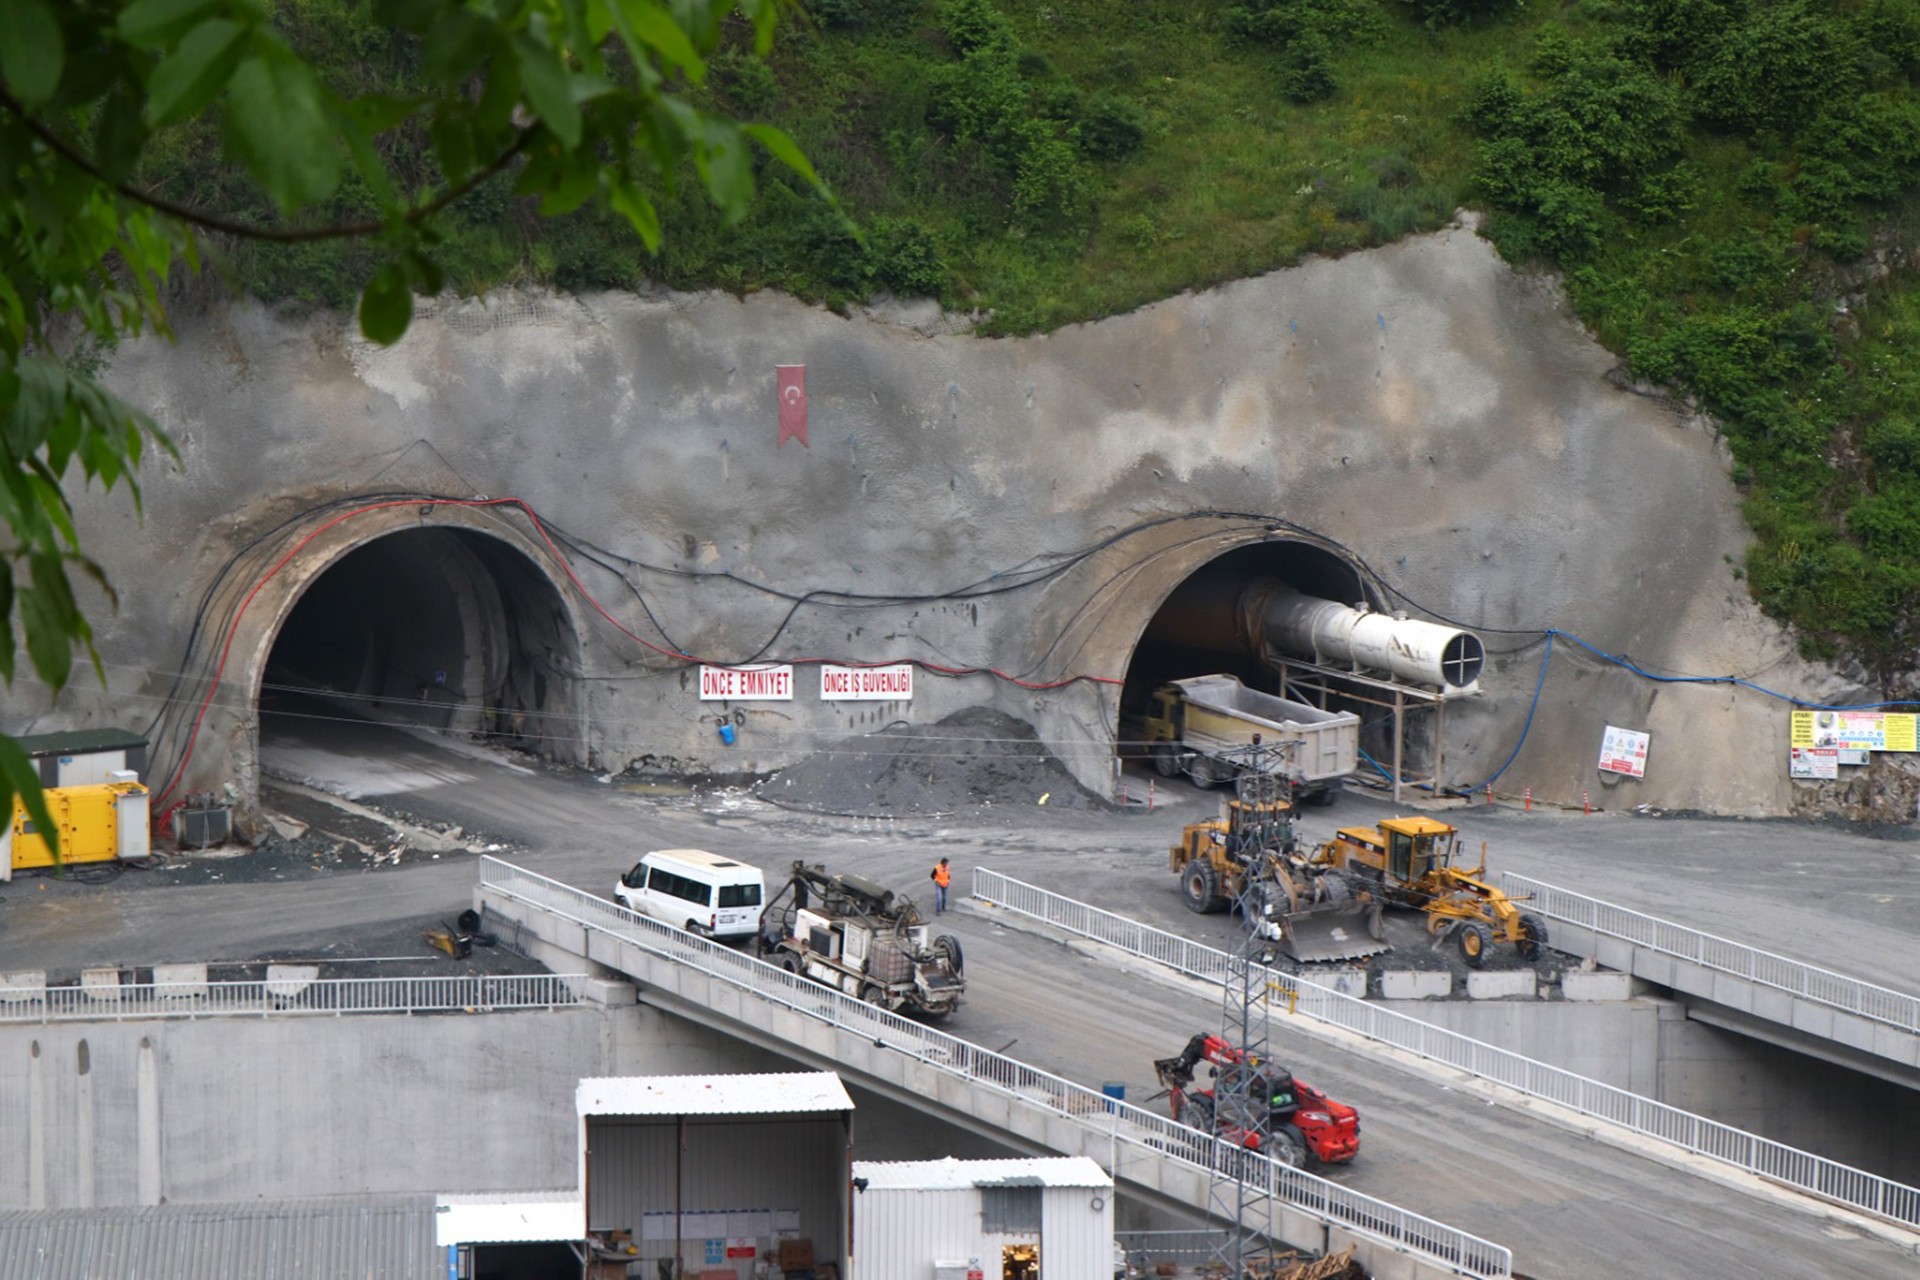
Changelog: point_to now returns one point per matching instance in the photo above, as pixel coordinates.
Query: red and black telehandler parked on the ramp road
(1287, 1118)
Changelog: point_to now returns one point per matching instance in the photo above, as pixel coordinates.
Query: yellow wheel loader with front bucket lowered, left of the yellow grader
(1249, 859)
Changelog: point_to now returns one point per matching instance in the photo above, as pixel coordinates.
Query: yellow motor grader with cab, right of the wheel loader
(1410, 863)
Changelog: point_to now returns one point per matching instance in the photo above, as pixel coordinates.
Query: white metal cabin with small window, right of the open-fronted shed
(982, 1220)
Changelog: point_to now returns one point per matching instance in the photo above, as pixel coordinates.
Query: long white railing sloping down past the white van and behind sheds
(1113, 1120)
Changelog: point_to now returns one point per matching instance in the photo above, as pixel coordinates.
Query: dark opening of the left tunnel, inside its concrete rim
(441, 628)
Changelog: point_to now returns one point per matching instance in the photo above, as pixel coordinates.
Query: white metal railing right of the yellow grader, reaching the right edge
(1721, 955)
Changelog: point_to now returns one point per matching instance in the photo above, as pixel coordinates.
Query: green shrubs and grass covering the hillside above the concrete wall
(1731, 187)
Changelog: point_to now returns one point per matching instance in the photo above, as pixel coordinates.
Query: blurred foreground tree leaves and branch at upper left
(567, 103)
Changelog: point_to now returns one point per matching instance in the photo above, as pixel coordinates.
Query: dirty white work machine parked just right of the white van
(859, 937)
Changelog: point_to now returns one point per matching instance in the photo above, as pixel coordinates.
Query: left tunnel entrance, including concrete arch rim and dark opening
(423, 590)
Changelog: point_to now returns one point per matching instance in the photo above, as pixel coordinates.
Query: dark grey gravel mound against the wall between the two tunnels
(974, 759)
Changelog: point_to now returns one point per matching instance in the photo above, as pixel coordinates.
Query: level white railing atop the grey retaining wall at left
(291, 997)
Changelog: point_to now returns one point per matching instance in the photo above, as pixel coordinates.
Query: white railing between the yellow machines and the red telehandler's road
(1760, 1156)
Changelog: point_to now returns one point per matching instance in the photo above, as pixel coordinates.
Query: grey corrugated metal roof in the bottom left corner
(385, 1239)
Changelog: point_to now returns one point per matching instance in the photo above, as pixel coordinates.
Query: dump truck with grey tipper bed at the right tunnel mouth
(1212, 728)
